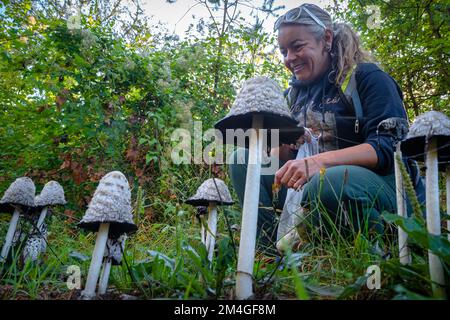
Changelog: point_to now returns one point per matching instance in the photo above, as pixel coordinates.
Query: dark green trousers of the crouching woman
(346, 198)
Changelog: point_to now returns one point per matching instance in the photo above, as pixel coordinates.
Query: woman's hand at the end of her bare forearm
(295, 173)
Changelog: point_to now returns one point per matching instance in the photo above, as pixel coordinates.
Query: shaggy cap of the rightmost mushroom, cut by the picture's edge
(430, 124)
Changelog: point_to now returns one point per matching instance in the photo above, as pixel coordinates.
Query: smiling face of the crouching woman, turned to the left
(305, 57)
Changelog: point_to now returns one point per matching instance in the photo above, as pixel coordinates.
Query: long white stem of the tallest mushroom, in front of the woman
(247, 244)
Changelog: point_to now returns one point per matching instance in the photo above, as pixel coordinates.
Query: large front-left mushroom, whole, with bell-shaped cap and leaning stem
(109, 213)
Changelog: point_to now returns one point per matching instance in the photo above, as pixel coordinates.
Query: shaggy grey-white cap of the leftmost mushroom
(21, 192)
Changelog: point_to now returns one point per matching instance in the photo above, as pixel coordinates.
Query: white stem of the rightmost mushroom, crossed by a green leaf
(433, 217)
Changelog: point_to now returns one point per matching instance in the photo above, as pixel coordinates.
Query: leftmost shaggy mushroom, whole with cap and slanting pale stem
(18, 198)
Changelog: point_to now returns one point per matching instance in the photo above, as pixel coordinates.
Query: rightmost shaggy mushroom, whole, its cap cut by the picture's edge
(429, 140)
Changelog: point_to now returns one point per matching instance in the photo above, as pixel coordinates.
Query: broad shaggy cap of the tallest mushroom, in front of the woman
(261, 96)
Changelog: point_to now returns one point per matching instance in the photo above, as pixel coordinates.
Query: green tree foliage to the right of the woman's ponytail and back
(411, 43)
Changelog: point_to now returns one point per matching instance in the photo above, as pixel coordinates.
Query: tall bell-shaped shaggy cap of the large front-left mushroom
(110, 204)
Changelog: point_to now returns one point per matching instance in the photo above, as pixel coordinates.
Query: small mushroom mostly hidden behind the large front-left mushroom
(113, 256)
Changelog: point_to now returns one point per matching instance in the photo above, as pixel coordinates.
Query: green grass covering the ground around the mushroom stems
(165, 259)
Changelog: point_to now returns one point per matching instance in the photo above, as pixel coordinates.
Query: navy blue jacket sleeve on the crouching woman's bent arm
(381, 98)
